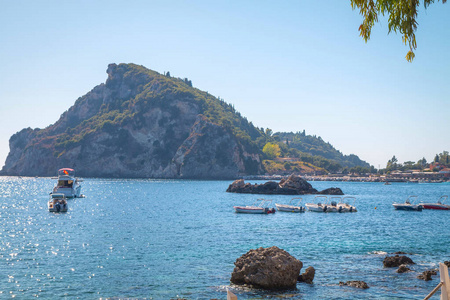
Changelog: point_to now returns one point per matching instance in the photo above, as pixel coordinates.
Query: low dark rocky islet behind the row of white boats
(293, 185)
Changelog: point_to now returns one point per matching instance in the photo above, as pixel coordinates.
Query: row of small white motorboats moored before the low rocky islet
(320, 204)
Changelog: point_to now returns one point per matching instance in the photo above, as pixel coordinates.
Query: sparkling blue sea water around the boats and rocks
(179, 239)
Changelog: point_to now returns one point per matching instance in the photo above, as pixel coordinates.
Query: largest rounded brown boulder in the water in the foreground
(267, 268)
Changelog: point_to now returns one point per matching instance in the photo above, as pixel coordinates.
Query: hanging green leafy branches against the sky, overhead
(402, 18)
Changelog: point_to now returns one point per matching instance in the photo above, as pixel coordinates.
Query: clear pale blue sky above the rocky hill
(286, 65)
